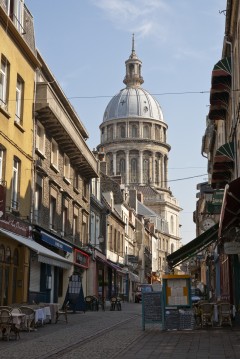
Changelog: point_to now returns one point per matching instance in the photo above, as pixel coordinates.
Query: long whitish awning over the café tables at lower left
(44, 254)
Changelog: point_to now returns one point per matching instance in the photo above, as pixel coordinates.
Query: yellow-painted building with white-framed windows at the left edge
(17, 88)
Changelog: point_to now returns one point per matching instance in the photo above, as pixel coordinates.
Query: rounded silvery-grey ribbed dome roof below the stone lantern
(133, 102)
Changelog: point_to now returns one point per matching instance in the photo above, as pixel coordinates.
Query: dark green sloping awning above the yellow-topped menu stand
(192, 248)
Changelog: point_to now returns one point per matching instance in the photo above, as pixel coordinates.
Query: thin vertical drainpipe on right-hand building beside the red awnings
(233, 134)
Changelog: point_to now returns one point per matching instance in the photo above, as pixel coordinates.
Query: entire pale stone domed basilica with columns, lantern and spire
(134, 141)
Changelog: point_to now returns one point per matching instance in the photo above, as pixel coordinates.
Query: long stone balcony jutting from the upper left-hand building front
(66, 128)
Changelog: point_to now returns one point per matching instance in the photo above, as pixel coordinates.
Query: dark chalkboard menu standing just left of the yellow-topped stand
(152, 308)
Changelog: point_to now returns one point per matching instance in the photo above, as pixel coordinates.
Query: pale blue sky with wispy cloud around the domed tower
(86, 43)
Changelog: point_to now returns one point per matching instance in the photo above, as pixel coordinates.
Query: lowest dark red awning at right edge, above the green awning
(230, 212)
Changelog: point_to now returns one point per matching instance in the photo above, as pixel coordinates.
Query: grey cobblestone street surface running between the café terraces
(118, 335)
